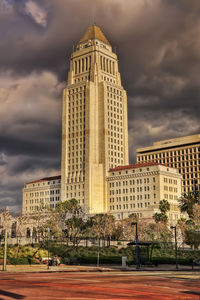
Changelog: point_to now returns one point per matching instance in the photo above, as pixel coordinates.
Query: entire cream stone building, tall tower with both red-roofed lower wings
(95, 166)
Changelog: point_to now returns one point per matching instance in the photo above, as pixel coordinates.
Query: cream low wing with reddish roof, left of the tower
(41, 194)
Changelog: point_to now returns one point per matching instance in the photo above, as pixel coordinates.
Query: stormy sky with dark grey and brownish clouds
(158, 46)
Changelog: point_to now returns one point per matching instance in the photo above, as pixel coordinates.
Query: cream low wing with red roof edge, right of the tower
(138, 189)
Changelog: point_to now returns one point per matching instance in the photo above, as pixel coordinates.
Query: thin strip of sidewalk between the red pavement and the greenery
(102, 268)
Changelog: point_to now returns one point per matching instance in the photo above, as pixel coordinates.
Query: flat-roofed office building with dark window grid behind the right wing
(182, 153)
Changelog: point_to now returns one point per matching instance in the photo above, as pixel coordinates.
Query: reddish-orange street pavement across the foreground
(115, 285)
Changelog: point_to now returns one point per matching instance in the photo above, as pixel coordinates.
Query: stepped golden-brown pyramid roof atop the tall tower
(94, 32)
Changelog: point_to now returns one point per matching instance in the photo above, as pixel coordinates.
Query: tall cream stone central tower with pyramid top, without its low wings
(94, 122)
